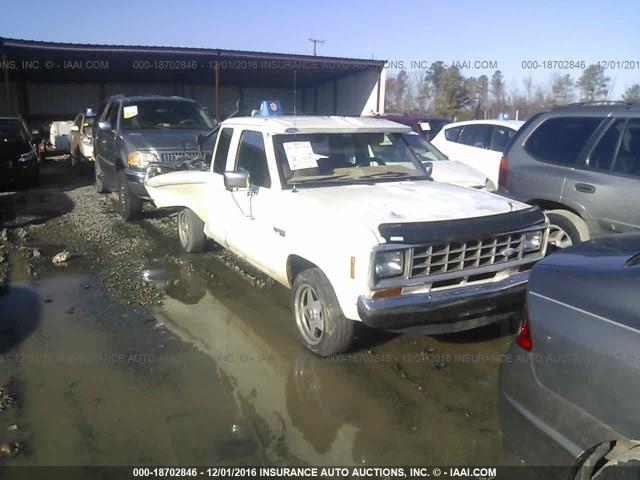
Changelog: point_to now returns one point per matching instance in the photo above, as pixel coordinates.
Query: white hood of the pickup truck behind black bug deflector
(401, 202)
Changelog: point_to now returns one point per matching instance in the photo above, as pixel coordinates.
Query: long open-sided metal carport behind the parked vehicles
(47, 80)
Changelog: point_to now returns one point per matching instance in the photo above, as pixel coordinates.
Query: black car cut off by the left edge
(19, 161)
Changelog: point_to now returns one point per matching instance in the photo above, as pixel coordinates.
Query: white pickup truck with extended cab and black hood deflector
(339, 210)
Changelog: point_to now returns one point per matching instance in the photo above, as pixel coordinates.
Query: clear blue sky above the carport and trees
(504, 33)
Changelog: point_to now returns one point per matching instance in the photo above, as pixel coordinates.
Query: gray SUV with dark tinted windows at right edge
(581, 164)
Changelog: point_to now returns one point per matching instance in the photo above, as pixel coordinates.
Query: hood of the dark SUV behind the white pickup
(165, 139)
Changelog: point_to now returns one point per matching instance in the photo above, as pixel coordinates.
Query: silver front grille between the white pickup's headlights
(453, 257)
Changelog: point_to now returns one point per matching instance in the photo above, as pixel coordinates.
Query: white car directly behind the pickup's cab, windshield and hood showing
(444, 169)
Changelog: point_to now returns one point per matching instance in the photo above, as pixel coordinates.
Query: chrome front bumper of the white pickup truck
(446, 311)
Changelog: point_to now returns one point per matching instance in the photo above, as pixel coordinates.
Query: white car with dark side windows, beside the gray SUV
(478, 143)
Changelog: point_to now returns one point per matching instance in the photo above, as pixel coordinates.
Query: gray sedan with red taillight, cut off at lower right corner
(569, 385)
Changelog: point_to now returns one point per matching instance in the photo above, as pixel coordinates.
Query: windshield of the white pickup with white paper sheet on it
(321, 158)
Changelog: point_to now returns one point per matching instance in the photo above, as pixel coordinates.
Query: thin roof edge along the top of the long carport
(44, 45)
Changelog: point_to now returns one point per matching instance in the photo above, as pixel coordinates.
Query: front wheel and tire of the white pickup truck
(331, 333)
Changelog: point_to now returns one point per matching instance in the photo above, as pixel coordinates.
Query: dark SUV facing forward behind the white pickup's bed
(137, 132)
